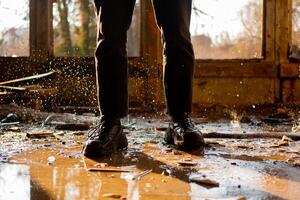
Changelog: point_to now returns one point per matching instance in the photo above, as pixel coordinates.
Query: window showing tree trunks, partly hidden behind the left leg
(75, 29)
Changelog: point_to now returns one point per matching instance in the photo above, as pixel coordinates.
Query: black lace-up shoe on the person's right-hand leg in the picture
(183, 134)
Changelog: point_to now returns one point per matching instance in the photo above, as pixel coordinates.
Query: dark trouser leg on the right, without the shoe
(173, 18)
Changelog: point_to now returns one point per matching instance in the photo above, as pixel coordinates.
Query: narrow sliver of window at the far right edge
(295, 47)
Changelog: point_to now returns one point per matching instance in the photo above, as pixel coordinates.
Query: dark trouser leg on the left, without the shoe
(114, 19)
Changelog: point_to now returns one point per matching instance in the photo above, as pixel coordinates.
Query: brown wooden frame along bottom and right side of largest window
(252, 67)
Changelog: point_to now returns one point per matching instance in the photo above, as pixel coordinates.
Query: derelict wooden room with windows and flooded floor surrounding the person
(246, 100)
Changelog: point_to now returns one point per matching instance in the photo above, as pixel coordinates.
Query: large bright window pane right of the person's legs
(228, 29)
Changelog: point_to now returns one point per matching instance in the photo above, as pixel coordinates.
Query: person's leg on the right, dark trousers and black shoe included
(173, 17)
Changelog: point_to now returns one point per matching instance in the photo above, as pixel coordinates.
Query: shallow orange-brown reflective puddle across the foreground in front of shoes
(68, 178)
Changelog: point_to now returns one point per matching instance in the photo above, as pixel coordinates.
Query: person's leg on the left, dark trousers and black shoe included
(112, 74)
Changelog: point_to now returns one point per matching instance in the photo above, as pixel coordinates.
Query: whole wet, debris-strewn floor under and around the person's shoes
(53, 167)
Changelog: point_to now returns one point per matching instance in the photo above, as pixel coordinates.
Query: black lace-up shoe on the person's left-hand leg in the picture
(105, 139)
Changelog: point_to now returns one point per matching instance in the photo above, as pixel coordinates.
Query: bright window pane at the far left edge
(14, 28)
